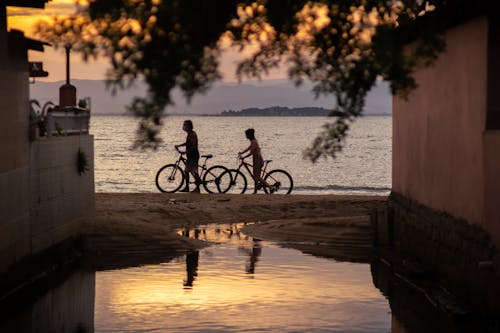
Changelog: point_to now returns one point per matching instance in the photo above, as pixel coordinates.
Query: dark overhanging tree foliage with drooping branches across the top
(343, 47)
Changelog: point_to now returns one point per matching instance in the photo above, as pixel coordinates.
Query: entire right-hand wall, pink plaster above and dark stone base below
(445, 205)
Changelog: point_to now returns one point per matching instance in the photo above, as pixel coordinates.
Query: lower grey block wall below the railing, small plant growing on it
(60, 196)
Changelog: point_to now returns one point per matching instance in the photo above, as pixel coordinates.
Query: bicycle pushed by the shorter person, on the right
(234, 181)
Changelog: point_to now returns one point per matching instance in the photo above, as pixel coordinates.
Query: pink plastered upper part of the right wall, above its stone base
(438, 150)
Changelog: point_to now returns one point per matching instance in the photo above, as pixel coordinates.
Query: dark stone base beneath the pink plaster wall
(461, 256)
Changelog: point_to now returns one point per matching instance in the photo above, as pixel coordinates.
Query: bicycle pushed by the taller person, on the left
(171, 177)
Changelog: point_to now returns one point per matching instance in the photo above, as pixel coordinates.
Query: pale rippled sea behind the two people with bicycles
(363, 167)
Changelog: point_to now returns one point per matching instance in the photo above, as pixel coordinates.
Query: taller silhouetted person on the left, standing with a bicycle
(192, 155)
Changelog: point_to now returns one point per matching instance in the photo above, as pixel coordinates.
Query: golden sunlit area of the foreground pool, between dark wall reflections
(286, 289)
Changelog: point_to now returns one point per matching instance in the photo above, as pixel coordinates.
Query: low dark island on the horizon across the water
(280, 111)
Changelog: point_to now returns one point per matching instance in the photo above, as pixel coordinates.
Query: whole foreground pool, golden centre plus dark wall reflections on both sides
(241, 284)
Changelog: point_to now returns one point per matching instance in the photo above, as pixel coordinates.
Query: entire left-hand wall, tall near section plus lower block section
(42, 196)
